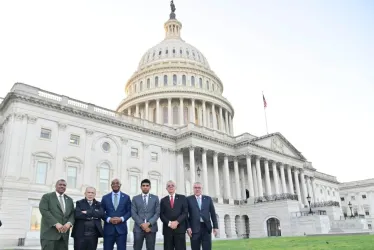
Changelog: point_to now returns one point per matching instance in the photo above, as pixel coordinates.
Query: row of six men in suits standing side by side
(194, 215)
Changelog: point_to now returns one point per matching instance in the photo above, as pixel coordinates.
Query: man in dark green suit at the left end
(57, 210)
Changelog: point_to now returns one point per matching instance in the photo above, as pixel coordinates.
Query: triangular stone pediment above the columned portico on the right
(278, 143)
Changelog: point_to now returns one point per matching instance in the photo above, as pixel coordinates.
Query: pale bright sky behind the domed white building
(313, 60)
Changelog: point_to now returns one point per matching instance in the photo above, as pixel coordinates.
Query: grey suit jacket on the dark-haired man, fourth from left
(151, 213)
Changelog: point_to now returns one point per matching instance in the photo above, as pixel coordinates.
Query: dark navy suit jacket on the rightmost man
(207, 213)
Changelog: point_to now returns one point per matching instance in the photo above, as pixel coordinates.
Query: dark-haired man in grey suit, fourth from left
(145, 211)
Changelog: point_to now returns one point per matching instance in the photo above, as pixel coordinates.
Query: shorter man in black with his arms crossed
(87, 228)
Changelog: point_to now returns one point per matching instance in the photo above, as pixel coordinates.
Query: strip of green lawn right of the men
(357, 242)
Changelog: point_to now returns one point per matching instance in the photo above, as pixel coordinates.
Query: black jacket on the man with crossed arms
(94, 213)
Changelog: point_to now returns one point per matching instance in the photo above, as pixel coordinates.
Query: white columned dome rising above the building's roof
(174, 85)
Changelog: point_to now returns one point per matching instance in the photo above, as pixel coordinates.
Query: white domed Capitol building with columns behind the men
(174, 124)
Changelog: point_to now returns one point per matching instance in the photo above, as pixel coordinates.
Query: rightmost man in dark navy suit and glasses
(201, 214)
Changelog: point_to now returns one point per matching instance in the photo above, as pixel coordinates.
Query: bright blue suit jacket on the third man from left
(123, 210)
